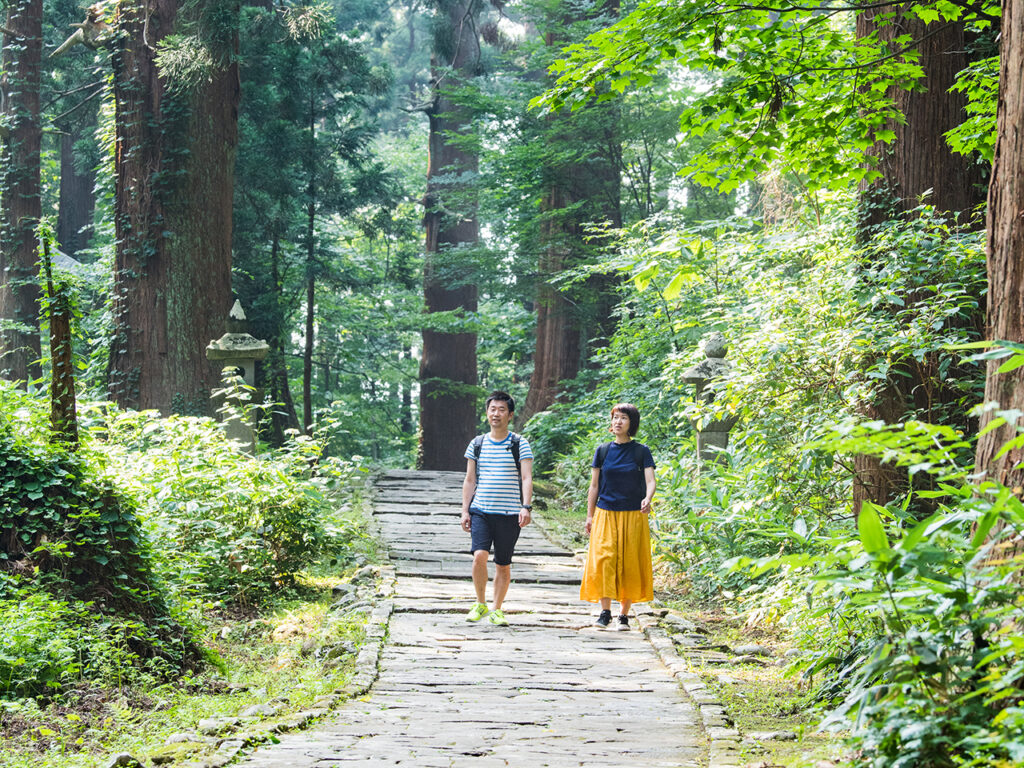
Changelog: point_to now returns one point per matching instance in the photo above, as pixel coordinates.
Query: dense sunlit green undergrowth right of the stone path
(900, 615)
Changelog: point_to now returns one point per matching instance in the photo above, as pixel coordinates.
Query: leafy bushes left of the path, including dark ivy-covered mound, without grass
(108, 552)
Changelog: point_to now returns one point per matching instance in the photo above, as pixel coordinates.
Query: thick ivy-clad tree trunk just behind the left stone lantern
(175, 183)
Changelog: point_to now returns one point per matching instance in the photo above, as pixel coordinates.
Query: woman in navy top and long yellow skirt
(622, 487)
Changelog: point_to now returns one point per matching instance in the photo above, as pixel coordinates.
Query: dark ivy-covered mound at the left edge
(73, 547)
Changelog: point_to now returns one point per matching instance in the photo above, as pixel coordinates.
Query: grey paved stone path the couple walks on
(548, 691)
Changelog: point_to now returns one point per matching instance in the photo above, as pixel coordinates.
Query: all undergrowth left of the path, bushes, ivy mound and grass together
(252, 584)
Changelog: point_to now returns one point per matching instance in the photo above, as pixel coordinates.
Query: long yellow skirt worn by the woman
(619, 559)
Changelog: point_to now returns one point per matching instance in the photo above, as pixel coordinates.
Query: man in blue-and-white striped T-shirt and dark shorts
(496, 503)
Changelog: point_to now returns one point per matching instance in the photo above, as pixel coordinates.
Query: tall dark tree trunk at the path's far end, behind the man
(448, 365)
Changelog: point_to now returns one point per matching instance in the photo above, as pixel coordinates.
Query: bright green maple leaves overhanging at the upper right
(790, 87)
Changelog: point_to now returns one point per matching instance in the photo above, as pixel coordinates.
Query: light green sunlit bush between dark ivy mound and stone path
(225, 526)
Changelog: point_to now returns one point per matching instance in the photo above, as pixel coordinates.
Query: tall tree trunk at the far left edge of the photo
(21, 136)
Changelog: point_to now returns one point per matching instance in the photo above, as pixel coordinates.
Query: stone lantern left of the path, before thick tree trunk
(238, 353)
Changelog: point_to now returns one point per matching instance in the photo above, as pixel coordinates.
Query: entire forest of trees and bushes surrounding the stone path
(418, 202)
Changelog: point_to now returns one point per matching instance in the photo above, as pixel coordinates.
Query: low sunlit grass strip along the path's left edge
(257, 658)
